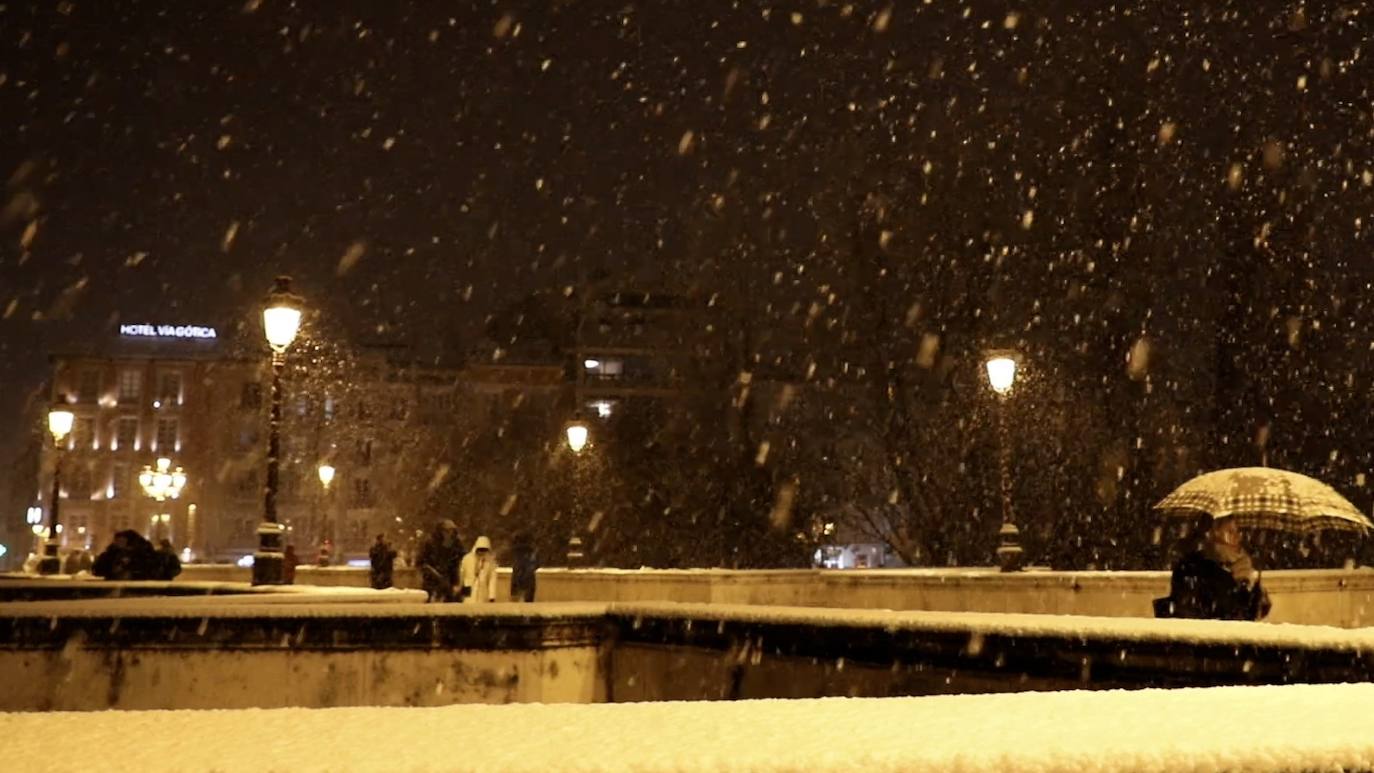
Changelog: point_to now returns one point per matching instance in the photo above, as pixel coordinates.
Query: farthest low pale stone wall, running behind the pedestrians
(1335, 598)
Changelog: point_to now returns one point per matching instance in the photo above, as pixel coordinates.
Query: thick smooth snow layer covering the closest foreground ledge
(1236, 730)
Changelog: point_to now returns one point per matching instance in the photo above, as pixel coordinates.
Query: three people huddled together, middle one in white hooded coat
(451, 575)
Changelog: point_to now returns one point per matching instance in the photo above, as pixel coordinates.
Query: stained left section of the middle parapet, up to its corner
(130, 658)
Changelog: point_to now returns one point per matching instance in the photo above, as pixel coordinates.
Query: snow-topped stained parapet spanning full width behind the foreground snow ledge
(277, 651)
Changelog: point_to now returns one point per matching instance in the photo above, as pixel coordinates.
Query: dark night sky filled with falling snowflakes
(1104, 163)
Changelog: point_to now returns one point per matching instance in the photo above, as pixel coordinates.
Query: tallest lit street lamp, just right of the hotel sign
(281, 323)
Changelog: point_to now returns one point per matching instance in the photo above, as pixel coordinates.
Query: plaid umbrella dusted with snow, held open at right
(1266, 499)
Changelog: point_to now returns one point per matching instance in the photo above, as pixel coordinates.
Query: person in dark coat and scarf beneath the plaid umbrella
(1217, 580)
